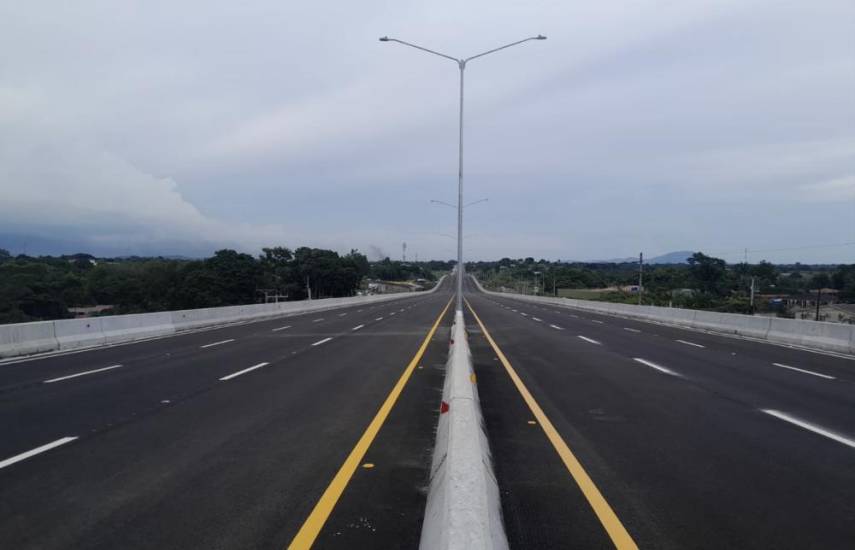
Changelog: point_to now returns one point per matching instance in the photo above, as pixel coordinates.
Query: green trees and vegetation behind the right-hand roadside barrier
(704, 282)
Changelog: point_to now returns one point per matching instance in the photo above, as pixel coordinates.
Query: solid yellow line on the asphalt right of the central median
(619, 535)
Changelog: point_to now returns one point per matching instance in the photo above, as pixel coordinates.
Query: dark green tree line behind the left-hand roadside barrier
(37, 288)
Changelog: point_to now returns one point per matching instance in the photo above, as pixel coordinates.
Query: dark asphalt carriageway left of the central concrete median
(227, 438)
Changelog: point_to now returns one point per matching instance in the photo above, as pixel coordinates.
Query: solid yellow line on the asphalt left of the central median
(315, 522)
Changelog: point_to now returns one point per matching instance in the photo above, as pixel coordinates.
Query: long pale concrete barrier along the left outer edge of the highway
(68, 334)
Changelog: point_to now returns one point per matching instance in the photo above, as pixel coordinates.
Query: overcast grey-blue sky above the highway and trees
(182, 127)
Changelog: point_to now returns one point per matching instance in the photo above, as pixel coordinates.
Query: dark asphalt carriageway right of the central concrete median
(693, 440)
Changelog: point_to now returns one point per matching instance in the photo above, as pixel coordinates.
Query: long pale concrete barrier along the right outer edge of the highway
(818, 335)
